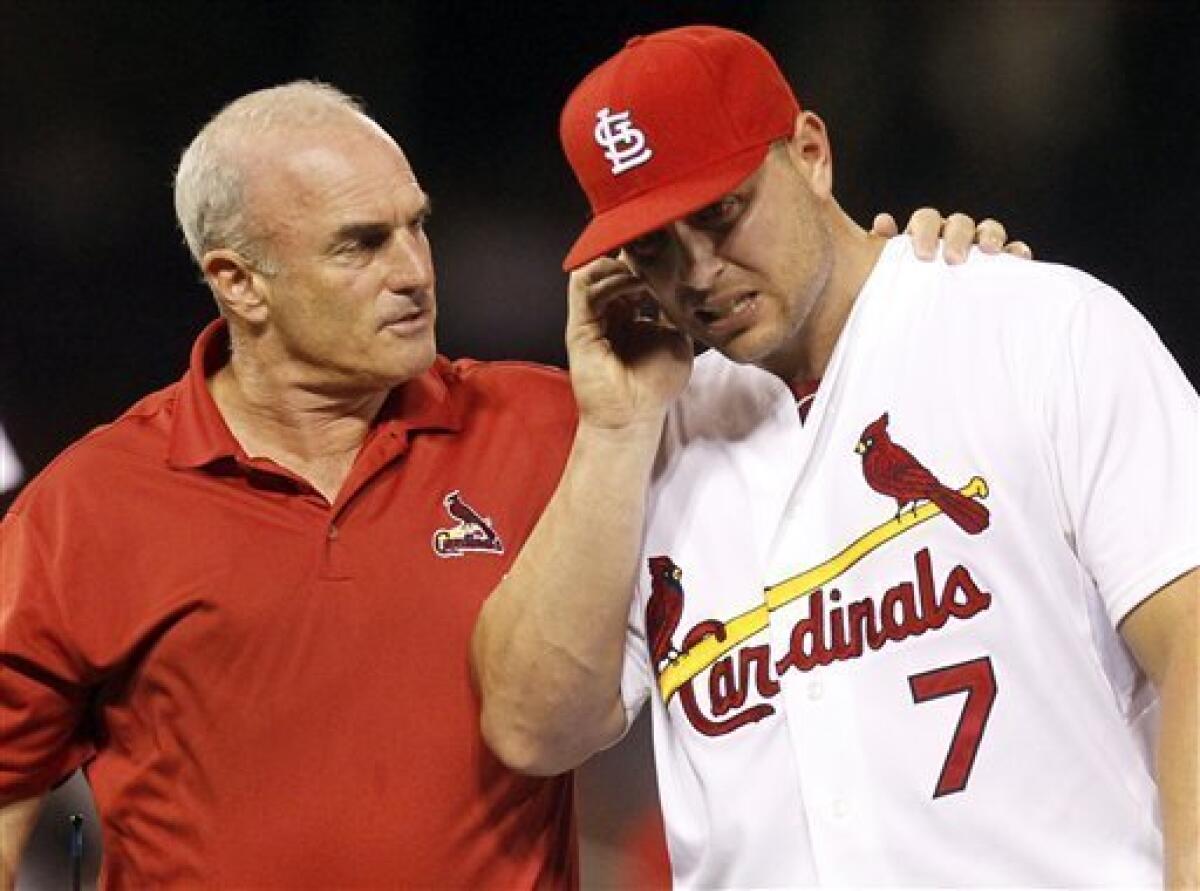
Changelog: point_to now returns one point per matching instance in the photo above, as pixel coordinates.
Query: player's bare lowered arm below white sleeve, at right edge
(1163, 633)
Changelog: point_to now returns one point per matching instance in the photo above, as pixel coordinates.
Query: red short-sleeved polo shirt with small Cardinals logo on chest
(263, 689)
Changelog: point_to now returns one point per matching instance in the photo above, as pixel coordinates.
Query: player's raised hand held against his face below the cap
(628, 364)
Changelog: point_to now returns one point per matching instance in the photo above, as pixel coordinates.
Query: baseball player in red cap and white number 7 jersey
(913, 549)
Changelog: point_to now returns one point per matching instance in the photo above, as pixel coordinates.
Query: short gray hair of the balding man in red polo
(211, 187)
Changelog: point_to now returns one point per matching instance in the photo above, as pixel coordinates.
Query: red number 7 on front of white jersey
(979, 681)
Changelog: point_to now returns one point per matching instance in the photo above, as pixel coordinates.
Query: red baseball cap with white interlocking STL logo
(668, 125)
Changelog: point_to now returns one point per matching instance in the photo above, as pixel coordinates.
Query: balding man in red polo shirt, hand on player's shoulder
(244, 608)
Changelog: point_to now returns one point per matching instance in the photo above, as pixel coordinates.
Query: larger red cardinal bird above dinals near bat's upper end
(891, 470)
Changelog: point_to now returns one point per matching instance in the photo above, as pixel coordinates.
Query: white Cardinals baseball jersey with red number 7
(881, 648)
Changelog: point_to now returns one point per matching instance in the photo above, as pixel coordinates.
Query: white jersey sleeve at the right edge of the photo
(1125, 424)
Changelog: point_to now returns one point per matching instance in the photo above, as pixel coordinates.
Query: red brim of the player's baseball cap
(662, 206)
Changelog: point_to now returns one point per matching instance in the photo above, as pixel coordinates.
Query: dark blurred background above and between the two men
(1075, 123)
